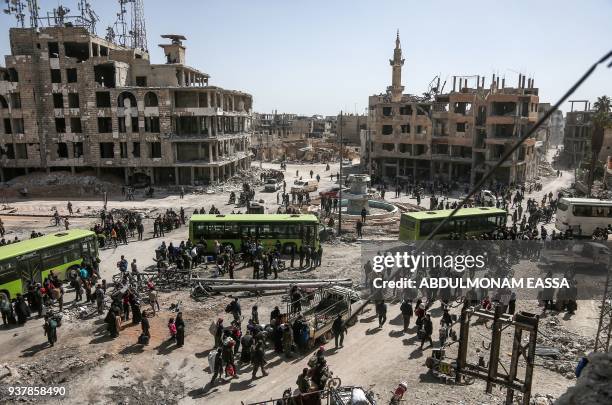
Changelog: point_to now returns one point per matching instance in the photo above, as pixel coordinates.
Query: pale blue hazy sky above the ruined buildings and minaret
(321, 57)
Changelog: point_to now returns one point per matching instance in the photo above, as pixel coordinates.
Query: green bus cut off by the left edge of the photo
(33, 259)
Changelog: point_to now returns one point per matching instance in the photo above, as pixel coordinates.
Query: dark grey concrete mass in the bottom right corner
(594, 385)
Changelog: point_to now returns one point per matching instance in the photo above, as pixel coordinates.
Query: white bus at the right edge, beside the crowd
(583, 214)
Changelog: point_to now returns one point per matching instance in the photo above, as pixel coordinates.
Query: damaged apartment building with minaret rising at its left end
(453, 136)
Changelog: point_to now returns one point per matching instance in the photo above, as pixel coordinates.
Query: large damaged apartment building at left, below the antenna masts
(70, 100)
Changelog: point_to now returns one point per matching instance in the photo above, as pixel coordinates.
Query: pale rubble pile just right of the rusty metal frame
(569, 347)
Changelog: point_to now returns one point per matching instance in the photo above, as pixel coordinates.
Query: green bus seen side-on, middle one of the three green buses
(290, 229)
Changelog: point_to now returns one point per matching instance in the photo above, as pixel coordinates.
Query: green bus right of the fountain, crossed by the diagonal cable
(471, 221)
